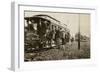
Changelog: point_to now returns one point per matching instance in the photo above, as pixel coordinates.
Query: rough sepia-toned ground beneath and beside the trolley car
(69, 51)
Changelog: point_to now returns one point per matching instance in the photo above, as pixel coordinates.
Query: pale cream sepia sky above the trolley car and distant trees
(72, 20)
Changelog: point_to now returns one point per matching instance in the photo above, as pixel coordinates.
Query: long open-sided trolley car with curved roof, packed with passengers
(43, 31)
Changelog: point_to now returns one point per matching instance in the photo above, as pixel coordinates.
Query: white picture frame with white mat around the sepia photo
(17, 37)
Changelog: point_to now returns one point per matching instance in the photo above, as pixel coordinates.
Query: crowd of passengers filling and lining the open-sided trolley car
(49, 35)
